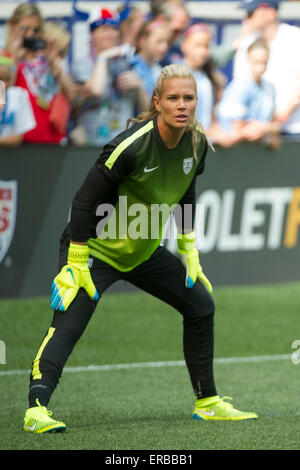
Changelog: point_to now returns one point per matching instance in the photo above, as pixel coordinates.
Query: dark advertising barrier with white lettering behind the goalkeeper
(251, 198)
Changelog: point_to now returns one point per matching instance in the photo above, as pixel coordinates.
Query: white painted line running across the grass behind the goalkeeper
(144, 365)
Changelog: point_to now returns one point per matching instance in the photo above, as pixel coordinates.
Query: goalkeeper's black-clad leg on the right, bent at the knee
(164, 277)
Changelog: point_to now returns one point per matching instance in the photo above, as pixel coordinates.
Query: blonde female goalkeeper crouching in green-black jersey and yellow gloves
(155, 162)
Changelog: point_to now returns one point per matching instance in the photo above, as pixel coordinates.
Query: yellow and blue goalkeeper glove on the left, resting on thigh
(73, 275)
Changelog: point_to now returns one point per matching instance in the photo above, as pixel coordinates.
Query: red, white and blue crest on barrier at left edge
(8, 210)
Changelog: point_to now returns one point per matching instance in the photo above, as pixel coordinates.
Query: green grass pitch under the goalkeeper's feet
(150, 408)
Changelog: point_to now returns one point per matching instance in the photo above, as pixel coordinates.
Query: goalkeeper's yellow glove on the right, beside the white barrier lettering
(189, 257)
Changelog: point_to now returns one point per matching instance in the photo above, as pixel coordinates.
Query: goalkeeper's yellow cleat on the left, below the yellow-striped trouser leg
(38, 420)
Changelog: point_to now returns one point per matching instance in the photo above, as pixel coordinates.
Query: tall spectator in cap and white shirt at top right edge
(283, 69)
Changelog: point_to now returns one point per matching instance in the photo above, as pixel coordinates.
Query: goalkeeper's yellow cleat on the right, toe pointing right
(215, 408)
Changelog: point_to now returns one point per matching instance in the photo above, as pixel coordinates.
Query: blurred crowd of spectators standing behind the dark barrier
(48, 100)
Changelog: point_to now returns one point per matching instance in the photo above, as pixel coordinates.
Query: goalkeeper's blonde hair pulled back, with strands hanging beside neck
(173, 71)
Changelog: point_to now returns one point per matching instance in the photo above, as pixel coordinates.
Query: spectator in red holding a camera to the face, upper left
(51, 90)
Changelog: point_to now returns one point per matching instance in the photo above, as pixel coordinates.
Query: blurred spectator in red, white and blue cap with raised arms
(110, 92)
